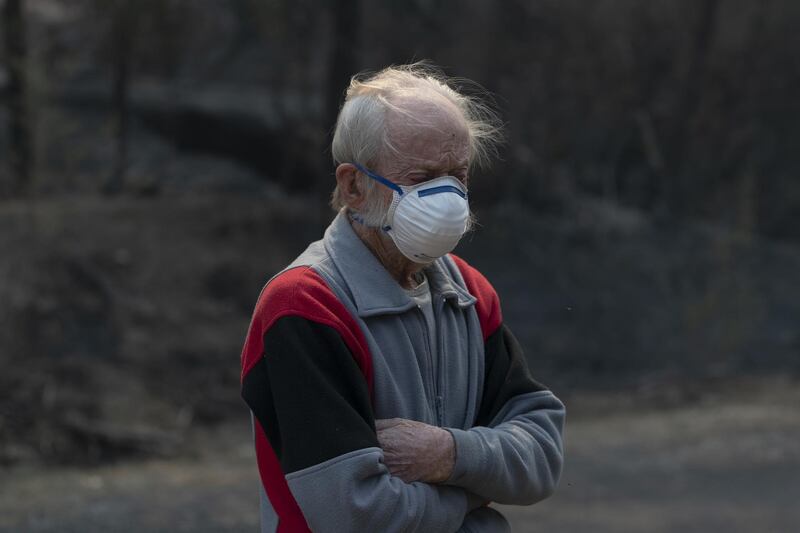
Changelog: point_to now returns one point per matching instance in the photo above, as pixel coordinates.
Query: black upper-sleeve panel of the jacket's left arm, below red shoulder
(309, 395)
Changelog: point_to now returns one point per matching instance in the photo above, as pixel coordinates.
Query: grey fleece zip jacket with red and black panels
(336, 343)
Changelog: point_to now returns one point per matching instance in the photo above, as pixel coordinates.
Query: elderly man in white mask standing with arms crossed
(386, 391)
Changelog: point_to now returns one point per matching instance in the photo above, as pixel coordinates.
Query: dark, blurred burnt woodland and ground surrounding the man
(161, 159)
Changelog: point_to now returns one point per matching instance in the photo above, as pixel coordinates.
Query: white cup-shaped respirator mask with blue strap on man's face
(427, 220)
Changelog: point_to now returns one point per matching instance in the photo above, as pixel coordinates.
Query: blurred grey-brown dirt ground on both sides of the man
(728, 462)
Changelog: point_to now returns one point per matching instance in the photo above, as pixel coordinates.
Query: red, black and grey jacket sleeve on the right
(514, 452)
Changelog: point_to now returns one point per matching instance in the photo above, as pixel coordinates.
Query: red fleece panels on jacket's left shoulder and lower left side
(299, 292)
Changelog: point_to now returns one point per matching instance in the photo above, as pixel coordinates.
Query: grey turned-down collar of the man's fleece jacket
(374, 290)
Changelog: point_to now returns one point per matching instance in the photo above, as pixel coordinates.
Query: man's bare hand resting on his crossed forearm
(414, 451)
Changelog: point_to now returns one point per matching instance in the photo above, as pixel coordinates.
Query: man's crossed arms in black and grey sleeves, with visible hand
(348, 472)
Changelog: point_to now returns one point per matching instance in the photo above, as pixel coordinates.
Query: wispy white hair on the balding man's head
(361, 135)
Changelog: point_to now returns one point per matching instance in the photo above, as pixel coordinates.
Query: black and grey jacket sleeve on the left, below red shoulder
(311, 399)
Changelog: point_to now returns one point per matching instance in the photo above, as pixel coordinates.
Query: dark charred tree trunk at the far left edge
(21, 149)
